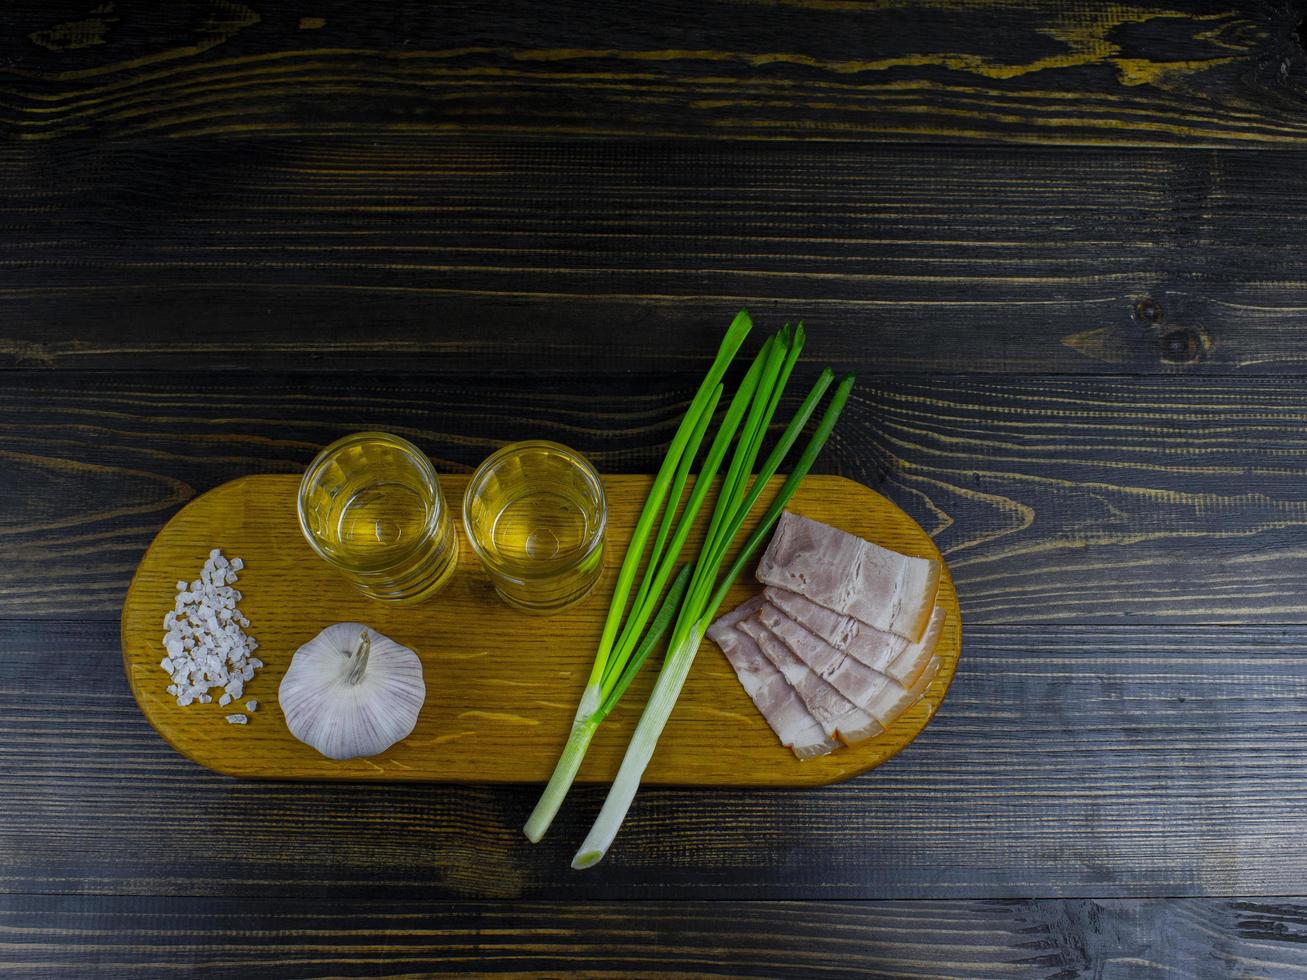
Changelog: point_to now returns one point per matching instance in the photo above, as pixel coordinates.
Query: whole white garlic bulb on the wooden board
(352, 692)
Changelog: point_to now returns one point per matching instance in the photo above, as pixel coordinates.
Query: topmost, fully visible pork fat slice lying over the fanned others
(835, 569)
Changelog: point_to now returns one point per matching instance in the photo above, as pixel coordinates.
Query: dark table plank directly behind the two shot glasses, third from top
(1055, 500)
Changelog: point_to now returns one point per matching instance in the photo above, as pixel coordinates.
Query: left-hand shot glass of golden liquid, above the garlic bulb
(371, 506)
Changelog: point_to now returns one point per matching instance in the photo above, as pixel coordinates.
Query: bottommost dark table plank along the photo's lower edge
(1037, 940)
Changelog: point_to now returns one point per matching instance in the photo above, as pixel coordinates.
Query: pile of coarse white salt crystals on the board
(206, 641)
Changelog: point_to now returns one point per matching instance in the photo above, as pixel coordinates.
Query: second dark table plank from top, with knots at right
(476, 257)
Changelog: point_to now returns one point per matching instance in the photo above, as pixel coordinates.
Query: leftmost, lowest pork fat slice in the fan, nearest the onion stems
(768, 688)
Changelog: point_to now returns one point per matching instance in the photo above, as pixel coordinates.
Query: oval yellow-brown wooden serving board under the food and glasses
(501, 685)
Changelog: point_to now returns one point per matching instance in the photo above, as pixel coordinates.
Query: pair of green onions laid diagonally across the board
(695, 595)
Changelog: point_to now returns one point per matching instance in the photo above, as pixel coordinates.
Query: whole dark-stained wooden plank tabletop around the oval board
(1065, 248)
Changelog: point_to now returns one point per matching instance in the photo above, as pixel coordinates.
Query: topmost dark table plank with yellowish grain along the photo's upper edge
(1139, 73)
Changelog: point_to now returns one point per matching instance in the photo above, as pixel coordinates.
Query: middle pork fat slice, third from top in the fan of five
(882, 697)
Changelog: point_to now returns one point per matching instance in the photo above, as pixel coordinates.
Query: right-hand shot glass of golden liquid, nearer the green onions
(535, 514)
